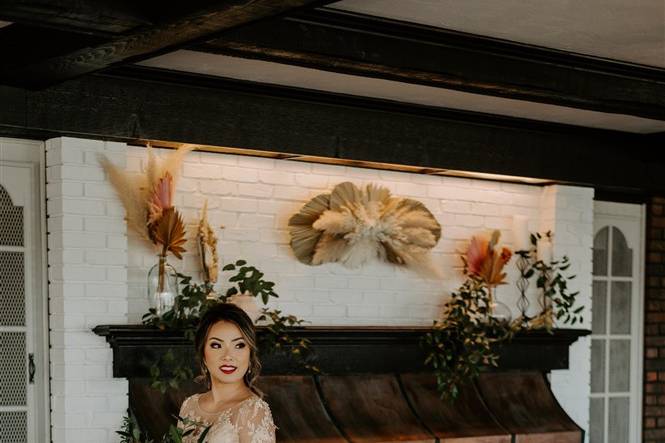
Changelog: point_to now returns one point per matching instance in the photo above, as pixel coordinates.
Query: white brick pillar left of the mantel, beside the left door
(87, 286)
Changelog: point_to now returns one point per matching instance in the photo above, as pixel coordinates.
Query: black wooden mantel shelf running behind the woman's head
(338, 350)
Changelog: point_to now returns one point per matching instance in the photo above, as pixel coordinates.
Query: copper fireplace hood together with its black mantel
(375, 389)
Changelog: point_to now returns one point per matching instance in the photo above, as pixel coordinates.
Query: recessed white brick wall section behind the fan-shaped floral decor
(254, 198)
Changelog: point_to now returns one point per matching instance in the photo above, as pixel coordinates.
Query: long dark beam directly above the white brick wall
(132, 103)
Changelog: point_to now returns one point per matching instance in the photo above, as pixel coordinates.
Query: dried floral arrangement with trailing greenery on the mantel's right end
(467, 338)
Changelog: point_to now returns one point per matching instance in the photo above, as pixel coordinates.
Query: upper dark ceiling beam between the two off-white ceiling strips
(357, 44)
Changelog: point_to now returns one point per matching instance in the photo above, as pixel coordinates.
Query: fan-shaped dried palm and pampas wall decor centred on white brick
(352, 226)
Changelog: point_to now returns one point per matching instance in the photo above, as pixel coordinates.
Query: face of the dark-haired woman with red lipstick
(226, 353)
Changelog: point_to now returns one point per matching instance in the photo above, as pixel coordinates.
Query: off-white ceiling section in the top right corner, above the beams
(627, 30)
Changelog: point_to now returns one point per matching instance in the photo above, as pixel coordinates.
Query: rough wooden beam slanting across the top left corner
(210, 18)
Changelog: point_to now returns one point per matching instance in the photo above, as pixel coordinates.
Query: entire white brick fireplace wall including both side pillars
(254, 198)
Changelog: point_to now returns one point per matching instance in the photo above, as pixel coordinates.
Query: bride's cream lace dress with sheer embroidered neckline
(250, 421)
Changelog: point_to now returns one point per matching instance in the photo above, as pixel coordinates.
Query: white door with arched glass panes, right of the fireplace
(615, 378)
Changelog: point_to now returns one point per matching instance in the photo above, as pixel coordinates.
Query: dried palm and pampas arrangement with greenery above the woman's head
(148, 202)
